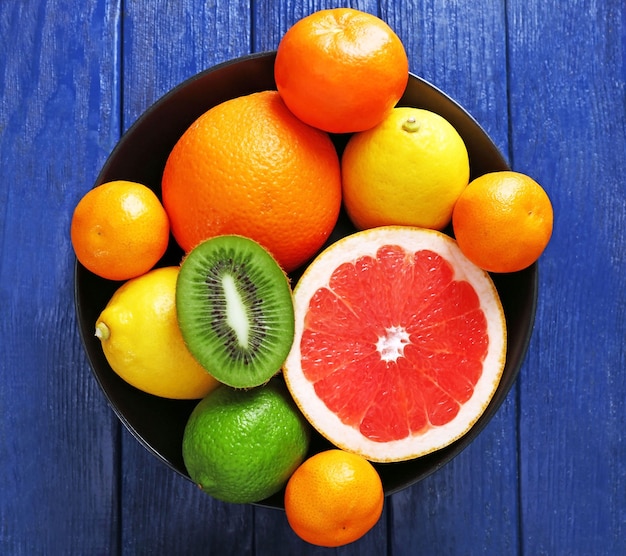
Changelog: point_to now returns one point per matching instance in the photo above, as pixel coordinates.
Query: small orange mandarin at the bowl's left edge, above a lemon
(119, 230)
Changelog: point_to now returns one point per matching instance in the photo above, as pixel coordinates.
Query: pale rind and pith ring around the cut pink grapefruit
(413, 446)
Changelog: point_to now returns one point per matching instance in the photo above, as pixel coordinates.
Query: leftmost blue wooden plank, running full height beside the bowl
(58, 477)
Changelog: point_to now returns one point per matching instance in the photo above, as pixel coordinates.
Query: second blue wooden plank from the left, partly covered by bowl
(161, 512)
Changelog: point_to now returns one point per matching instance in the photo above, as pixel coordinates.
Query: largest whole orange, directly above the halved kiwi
(249, 167)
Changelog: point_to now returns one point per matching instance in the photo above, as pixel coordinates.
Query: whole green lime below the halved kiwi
(242, 446)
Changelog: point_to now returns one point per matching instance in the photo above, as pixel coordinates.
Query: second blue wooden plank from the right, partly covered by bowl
(470, 505)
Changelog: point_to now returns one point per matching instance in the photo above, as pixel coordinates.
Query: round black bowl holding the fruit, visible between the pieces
(140, 156)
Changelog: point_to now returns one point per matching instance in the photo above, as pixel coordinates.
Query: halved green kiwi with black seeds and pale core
(235, 310)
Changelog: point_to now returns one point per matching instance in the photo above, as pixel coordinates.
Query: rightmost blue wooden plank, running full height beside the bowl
(567, 65)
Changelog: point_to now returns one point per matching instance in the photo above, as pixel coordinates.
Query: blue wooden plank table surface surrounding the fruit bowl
(545, 78)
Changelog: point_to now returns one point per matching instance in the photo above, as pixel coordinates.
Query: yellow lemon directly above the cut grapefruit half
(408, 170)
